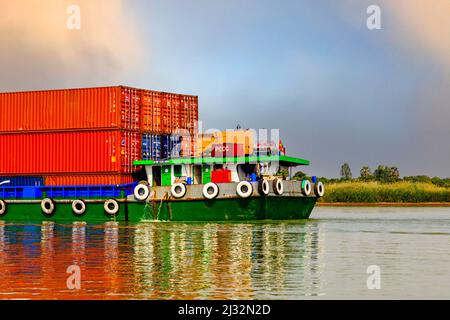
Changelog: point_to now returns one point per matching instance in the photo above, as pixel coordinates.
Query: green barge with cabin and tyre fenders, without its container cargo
(246, 188)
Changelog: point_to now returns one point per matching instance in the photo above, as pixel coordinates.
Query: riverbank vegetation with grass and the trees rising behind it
(384, 184)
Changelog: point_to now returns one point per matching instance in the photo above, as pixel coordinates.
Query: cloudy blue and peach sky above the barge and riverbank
(337, 91)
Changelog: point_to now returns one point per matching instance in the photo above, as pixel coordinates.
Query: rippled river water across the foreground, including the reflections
(340, 253)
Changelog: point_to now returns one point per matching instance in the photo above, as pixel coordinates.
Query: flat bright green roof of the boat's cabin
(284, 160)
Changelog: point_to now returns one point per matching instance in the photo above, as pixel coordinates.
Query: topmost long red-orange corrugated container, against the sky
(107, 107)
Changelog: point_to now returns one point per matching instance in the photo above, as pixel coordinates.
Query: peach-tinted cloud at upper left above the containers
(39, 51)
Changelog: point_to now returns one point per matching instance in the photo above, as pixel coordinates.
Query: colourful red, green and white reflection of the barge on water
(162, 260)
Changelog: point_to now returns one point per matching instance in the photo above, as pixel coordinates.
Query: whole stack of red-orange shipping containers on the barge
(87, 136)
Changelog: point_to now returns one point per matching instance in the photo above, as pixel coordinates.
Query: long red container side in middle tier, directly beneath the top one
(69, 152)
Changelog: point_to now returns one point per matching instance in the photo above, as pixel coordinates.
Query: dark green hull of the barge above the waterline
(228, 209)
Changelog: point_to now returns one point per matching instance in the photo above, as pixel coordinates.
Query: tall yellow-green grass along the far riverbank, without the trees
(372, 192)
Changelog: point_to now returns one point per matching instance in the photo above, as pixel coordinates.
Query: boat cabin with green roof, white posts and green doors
(217, 170)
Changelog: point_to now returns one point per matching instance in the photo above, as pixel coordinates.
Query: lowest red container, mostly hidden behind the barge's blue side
(87, 179)
